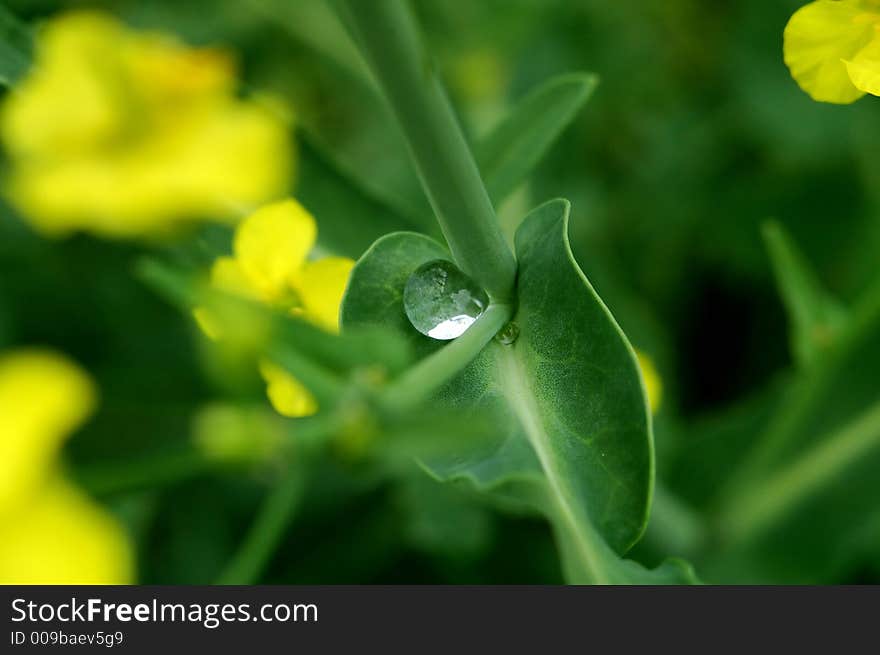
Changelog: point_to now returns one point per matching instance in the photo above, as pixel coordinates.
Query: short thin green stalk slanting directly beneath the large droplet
(421, 381)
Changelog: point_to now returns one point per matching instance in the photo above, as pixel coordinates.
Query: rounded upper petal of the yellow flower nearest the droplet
(272, 243)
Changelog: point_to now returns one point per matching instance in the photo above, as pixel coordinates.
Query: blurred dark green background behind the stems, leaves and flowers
(695, 136)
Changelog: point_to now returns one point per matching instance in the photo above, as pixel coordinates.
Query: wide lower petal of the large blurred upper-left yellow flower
(235, 157)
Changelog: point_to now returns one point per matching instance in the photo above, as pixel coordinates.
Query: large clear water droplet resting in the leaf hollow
(442, 302)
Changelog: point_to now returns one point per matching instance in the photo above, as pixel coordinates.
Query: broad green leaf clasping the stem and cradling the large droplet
(567, 396)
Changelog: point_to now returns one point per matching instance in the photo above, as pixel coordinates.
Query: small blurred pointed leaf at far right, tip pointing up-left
(815, 318)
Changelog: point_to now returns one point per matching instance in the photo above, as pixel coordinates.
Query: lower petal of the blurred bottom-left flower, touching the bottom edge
(62, 537)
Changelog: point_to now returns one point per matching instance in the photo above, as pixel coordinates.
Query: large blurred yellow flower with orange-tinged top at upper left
(124, 133)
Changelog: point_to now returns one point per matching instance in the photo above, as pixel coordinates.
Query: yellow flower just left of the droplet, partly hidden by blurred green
(269, 264)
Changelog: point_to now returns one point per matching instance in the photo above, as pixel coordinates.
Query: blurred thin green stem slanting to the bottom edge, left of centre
(266, 532)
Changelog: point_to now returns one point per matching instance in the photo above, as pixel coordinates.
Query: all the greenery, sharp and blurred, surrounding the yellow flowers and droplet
(476, 461)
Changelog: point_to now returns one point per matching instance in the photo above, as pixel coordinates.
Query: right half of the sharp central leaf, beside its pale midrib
(572, 381)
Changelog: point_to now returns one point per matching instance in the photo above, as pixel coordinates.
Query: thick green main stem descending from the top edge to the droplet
(389, 40)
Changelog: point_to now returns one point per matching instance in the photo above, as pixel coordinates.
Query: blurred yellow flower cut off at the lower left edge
(50, 532)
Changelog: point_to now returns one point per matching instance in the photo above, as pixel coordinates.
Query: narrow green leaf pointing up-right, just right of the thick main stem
(510, 152)
